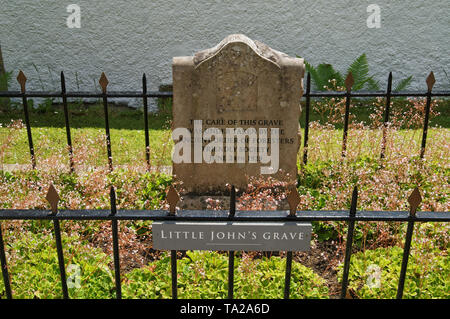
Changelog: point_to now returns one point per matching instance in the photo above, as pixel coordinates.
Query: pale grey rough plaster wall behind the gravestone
(126, 38)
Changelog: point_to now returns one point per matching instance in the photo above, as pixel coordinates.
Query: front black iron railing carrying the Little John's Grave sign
(114, 215)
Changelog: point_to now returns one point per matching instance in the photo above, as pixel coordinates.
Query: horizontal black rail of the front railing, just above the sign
(222, 215)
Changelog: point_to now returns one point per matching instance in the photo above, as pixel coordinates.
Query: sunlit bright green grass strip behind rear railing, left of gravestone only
(128, 145)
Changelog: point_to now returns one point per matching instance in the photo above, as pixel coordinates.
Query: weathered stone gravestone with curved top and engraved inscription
(240, 83)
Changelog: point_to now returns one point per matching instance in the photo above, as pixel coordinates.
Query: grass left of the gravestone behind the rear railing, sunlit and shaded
(88, 128)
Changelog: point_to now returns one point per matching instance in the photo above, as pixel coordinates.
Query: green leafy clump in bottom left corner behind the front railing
(34, 270)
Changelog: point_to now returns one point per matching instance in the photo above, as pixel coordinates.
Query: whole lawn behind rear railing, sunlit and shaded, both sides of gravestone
(128, 141)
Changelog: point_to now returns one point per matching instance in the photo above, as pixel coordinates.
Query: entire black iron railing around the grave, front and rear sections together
(351, 217)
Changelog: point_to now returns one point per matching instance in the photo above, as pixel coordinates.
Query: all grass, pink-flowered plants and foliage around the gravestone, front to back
(324, 183)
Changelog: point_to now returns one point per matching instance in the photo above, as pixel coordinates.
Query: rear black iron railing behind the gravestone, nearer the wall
(144, 94)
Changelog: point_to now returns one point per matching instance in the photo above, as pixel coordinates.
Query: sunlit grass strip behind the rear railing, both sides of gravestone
(128, 145)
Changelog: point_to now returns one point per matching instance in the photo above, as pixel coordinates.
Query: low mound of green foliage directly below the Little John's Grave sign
(204, 274)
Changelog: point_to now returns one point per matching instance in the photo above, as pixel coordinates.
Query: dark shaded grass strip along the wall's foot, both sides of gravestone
(122, 117)
